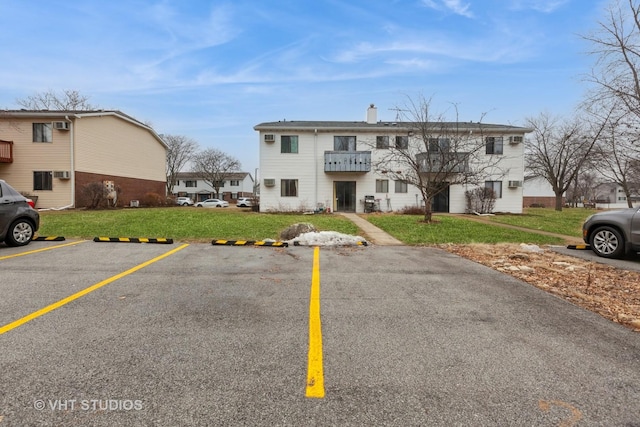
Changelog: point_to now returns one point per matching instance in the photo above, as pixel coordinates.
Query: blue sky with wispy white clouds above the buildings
(211, 70)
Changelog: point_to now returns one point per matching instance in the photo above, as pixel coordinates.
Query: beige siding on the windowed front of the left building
(29, 156)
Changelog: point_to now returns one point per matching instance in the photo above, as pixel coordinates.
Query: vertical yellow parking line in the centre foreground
(315, 374)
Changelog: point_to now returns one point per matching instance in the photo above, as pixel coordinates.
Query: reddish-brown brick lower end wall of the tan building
(129, 188)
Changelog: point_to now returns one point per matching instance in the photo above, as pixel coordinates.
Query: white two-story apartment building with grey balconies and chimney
(305, 165)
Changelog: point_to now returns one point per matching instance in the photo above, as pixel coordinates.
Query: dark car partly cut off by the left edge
(18, 220)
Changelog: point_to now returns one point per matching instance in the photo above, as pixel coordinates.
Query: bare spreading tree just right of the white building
(558, 148)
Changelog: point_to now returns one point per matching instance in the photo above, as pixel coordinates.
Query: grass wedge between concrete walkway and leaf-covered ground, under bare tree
(447, 229)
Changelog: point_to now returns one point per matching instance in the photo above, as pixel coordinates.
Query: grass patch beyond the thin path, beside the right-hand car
(567, 222)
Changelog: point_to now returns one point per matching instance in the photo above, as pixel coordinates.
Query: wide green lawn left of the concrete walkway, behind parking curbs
(181, 223)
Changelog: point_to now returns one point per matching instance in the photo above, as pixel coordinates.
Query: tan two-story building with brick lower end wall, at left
(53, 155)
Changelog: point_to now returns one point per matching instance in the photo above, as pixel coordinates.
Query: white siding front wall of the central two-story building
(316, 187)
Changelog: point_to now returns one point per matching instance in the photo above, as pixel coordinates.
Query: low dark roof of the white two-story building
(364, 126)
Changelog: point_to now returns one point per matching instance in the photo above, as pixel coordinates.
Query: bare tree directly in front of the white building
(435, 153)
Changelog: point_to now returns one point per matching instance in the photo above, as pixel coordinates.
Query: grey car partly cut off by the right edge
(613, 234)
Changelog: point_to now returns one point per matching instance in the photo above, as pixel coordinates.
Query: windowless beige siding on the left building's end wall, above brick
(113, 146)
